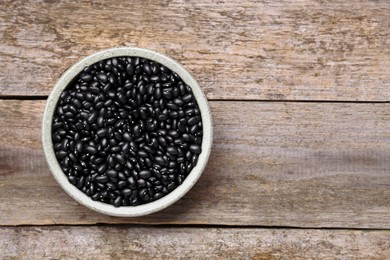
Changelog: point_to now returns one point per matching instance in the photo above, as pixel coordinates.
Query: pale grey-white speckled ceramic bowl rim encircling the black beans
(127, 211)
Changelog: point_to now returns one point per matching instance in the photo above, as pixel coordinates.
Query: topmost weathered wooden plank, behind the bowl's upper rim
(268, 50)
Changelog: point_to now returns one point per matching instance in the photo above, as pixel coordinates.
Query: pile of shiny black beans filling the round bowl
(127, 131)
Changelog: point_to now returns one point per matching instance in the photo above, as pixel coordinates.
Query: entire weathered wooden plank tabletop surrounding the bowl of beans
(299, 92)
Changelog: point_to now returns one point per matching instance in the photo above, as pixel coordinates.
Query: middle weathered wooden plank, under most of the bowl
(272, 164)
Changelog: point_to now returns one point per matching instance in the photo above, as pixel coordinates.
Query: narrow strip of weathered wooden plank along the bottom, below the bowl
(195, 243)
